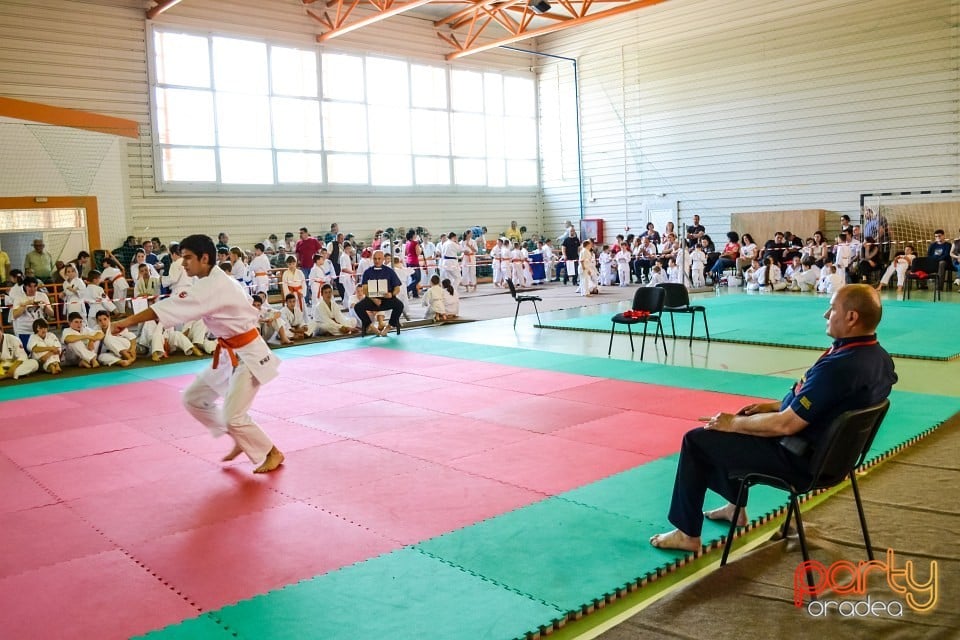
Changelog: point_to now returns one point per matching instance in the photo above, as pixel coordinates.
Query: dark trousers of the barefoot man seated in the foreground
(707, 460)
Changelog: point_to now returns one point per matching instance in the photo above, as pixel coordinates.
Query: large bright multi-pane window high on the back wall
(232, 111)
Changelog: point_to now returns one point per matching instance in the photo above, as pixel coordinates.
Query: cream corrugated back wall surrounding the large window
(92, 55)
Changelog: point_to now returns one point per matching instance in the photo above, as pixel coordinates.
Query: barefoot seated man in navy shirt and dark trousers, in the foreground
(856, 372)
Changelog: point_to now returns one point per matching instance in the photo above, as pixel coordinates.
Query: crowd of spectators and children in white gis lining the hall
(337, 284)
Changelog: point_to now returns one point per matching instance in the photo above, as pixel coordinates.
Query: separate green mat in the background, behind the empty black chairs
(910, 329)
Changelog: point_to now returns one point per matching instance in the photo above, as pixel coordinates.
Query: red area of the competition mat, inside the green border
(126, 507)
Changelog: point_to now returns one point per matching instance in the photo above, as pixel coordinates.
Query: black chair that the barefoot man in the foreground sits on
(844, 448)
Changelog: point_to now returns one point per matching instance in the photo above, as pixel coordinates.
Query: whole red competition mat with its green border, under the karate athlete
(430, 490)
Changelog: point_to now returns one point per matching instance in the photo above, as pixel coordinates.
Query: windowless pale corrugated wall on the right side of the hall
(748, 105)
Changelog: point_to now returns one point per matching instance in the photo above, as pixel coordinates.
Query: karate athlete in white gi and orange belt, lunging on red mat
(241, 363)
